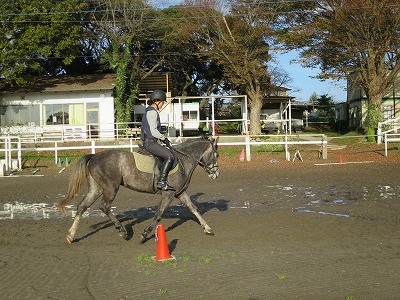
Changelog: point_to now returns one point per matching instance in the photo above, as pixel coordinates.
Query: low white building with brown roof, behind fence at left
(74, 107)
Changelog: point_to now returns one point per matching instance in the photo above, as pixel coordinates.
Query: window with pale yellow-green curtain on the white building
(56, 114)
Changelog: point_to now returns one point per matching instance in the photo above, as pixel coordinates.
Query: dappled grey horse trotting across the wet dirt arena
(106, 171)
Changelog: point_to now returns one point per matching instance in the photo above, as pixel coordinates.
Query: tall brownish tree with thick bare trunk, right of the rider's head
(238, 42)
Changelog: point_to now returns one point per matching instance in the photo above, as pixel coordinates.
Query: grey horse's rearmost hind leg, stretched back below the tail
(92, 195)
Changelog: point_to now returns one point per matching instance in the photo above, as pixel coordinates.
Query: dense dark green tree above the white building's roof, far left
(39, 38)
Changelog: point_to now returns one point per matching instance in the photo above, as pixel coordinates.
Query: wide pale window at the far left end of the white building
(19, 115)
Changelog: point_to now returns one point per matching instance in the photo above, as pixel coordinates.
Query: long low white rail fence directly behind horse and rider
(14, 145)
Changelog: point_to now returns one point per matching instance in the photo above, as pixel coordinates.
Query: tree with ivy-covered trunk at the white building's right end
(125, 32)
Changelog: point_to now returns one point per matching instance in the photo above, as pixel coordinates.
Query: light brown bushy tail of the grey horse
(77, 179)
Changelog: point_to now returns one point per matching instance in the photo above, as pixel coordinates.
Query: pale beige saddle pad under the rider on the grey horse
(148, 163)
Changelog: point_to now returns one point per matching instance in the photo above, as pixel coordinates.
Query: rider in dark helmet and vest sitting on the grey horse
(153, 139)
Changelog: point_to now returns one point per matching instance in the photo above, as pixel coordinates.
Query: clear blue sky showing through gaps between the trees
(302, 84)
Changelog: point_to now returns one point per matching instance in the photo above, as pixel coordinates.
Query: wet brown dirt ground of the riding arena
(283, 230)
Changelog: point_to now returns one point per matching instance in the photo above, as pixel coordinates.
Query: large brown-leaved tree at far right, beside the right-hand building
(354, 39)
